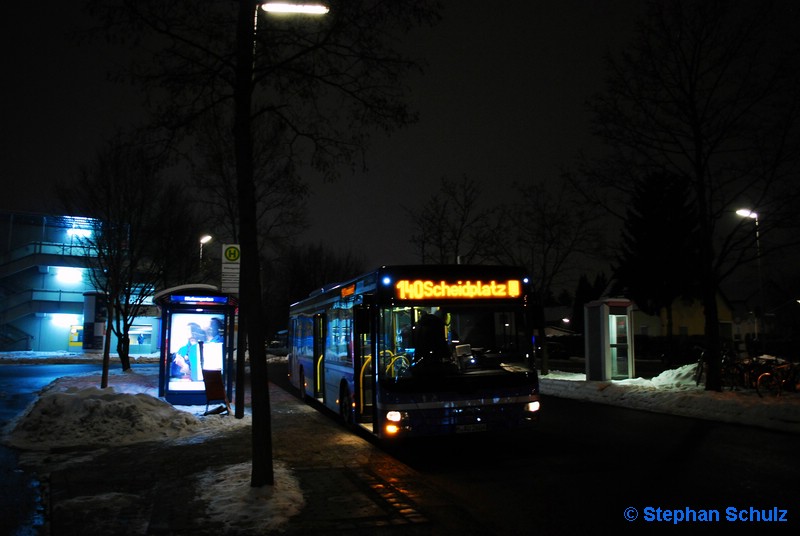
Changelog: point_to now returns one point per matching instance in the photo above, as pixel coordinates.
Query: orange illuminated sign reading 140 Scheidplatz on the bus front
(421, 289)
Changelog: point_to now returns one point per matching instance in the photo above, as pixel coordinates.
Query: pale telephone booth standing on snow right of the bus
(609, 339)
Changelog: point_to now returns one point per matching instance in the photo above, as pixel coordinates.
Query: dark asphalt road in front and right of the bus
(587, 467)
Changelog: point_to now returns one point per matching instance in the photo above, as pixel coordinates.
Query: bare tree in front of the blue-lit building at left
(126, 192)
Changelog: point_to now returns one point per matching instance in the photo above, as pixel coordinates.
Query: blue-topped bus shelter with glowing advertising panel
(197, 334)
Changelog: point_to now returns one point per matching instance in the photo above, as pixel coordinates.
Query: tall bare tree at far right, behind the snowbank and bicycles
(706, 92)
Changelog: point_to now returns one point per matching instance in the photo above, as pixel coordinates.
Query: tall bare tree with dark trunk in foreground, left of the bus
(323, 84)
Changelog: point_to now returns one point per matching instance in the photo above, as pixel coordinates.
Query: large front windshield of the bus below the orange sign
(460, 340)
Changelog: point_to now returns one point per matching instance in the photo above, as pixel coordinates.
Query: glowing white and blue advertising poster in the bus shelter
(196, 343)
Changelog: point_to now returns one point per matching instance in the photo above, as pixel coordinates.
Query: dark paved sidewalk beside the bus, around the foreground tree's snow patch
(349, 484)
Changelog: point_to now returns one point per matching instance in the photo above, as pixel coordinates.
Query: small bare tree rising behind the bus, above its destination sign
(450, 224)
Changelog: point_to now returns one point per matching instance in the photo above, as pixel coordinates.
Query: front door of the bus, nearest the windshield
(364, 365)
